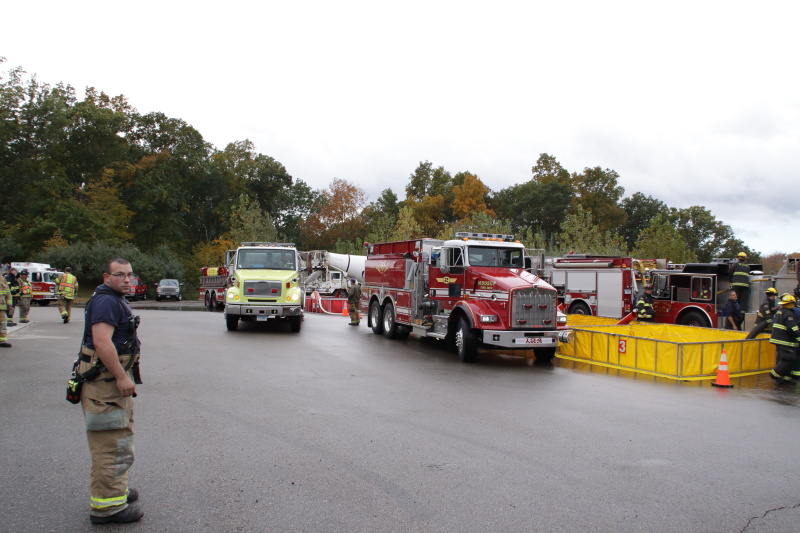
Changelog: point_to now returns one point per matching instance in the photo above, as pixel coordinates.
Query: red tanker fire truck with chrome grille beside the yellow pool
(472, 291)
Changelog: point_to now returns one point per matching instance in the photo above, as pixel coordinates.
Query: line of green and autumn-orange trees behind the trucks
(82, 175)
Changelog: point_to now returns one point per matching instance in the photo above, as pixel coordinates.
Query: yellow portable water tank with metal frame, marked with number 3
(677, 352)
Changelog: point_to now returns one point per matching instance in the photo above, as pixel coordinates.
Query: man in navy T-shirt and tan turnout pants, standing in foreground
(111, 351)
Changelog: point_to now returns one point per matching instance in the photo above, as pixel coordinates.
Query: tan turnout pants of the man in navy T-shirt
(109, 430)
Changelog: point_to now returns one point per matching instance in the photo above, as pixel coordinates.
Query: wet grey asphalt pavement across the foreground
(335, 429)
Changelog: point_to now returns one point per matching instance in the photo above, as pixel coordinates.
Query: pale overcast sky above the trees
(693, 103)
